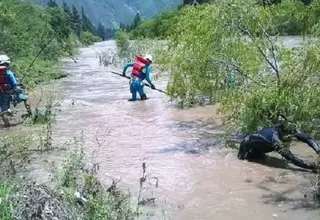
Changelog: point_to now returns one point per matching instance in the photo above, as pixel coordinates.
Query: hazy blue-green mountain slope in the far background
(111, 12)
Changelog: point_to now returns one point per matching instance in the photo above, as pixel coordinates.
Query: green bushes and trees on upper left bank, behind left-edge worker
(36, 38)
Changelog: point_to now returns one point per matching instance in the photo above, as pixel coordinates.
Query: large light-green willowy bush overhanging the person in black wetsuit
(211, 41)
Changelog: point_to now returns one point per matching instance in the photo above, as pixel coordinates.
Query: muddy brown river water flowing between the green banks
(198, 178)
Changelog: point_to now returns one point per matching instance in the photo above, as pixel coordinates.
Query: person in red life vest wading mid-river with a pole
(141, 71)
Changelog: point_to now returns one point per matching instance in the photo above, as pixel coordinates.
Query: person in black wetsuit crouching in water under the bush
(277, 138)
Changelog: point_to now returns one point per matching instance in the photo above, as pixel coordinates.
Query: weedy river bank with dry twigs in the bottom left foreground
(42, 180)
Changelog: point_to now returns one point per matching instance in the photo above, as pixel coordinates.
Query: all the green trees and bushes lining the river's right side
(205, 43)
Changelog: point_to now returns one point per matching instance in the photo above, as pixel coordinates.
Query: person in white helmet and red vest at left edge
(9, 90)
